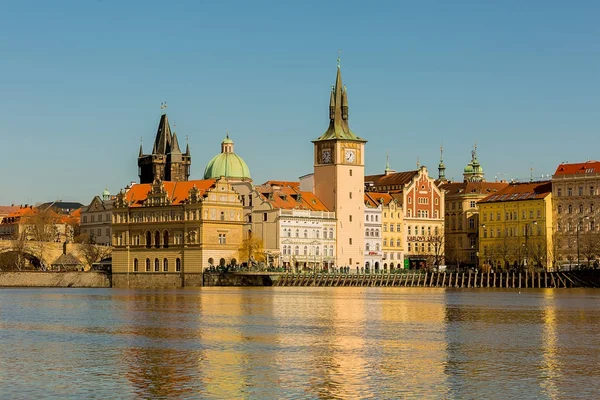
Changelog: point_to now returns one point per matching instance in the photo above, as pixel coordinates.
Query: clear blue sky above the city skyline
(82, 81)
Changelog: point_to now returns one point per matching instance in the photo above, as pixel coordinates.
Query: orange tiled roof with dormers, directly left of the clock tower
(288, 196)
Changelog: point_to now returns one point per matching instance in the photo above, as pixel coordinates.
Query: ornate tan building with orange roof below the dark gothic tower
(167, 233)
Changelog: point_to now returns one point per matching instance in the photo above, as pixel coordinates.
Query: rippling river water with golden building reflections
(275, 343)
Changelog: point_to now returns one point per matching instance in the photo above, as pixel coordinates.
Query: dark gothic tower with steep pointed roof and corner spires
(166, 162)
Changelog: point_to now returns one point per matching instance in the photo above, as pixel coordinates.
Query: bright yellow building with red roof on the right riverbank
(515, 228)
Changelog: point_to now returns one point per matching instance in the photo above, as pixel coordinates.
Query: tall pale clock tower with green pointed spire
(339, 177)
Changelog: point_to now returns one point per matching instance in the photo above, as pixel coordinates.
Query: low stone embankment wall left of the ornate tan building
(55, 279)
